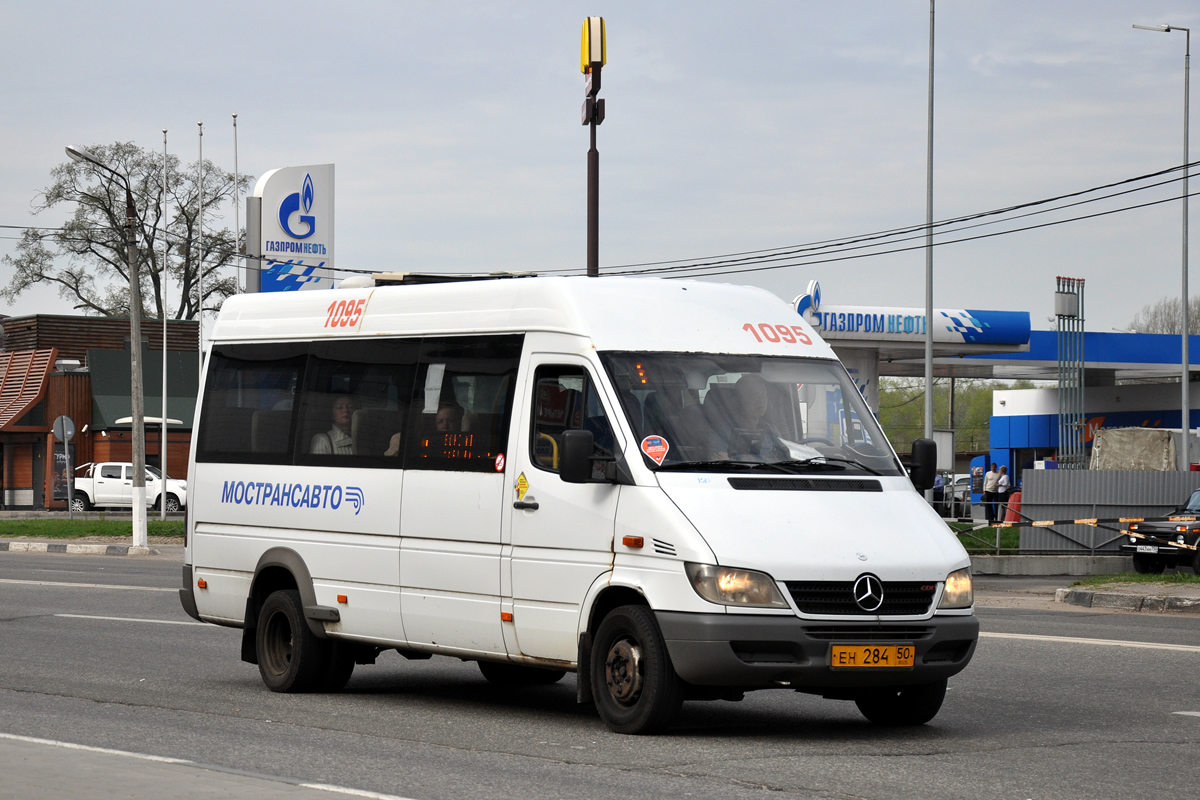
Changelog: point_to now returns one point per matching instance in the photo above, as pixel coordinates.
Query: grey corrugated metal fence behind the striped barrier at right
(1090, 495)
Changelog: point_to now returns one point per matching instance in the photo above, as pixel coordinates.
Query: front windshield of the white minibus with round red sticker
(716, 413)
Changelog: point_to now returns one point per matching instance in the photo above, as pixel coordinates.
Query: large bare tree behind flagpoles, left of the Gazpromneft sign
(87, 257)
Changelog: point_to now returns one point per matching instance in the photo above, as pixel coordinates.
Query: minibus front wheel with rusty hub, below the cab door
(634, 683)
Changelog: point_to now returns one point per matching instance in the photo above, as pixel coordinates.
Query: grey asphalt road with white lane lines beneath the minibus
(95, 652)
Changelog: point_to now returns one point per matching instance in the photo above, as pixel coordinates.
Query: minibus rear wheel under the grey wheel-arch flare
(291, 658)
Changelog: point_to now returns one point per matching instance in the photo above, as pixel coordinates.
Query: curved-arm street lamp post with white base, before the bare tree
(136, 392)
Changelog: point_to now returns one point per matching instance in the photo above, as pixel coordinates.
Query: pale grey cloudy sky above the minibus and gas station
(730, 128)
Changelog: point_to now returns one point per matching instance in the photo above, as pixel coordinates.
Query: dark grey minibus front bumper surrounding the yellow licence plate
(739, 651)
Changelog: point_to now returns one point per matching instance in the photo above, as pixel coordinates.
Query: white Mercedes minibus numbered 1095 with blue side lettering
(671, 489)
